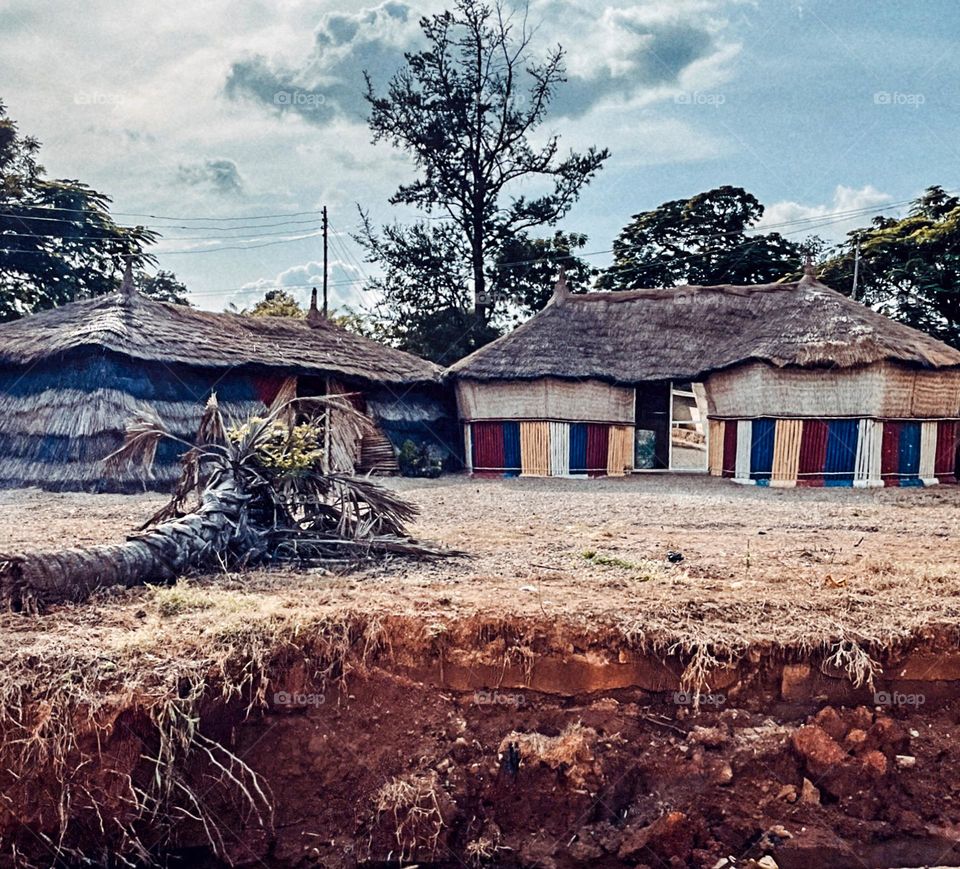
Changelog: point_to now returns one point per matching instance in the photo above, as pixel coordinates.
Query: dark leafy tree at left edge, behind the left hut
(58, 241)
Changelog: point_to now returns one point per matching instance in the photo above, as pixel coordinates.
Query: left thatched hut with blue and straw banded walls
(73, 377)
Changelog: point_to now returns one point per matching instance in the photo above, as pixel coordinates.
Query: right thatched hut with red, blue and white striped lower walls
(779, 384)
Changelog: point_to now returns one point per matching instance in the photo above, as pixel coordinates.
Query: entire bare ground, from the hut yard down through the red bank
(321, 686)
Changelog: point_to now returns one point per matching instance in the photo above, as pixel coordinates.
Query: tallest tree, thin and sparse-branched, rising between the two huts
(466, 109)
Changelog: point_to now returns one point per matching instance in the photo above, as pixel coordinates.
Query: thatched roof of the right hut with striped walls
(684, 333)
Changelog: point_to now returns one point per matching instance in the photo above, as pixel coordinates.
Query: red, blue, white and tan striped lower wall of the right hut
(763, 451)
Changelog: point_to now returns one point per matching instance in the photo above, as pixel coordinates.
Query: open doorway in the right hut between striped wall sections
(671, 427)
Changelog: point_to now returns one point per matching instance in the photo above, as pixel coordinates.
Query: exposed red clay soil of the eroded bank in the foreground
(388, 769)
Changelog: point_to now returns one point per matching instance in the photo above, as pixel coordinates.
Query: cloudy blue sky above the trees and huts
(195, 117)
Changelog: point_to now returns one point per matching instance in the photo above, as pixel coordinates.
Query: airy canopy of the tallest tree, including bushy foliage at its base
(467, 109)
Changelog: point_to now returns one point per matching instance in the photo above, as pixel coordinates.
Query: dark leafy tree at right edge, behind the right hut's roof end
(909, 267)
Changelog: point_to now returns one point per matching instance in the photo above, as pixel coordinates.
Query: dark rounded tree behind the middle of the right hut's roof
(701, 240)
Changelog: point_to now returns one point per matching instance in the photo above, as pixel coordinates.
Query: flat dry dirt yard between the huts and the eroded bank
(759, 564)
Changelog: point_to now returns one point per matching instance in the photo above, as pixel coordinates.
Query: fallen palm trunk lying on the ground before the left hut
(35, 581)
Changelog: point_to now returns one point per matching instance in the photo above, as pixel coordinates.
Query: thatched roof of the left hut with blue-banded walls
(139, 328)
